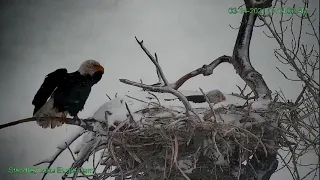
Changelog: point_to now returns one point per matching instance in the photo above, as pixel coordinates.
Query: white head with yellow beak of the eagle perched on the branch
(89, 67)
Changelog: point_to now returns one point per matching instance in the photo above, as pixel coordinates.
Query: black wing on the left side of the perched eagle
(50, 83)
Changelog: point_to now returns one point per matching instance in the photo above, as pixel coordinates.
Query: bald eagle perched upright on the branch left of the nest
(64, 93)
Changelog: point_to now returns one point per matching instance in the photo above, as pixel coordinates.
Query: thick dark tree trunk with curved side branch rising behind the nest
(240, 59)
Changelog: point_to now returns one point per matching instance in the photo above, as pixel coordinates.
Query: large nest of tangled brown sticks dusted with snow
(166, 144)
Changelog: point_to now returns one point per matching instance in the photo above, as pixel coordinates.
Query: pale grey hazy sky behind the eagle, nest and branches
(39, 36)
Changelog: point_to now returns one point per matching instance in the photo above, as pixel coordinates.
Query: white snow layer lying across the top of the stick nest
(115, 110)
